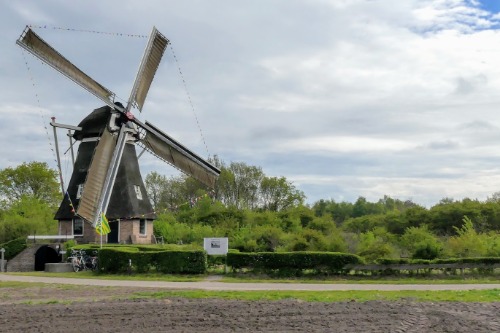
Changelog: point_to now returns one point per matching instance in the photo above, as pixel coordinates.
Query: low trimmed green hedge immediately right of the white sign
(329, 261)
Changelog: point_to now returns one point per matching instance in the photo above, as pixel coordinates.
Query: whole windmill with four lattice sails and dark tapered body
(106, 177)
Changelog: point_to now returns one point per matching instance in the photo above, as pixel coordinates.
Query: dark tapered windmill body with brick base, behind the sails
(129, 211)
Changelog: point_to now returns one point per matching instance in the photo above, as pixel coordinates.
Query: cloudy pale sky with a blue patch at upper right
(344, 98)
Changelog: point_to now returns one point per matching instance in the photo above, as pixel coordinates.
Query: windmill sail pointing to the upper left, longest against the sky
(31, 42)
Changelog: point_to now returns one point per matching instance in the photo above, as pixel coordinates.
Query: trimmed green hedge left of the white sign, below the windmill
(116, 260)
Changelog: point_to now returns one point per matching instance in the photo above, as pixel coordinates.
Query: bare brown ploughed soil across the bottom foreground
(55, 309)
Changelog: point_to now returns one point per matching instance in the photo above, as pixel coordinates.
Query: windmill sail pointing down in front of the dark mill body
(88, 207)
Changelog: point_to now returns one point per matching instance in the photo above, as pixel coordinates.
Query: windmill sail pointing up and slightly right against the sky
(147, 69)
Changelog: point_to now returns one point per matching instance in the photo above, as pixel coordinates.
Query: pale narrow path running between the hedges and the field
(216, 285)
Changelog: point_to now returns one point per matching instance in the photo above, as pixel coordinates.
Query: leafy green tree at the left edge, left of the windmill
(34, 179)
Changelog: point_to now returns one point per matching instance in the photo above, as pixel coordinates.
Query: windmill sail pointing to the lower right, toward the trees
(171, 151)
